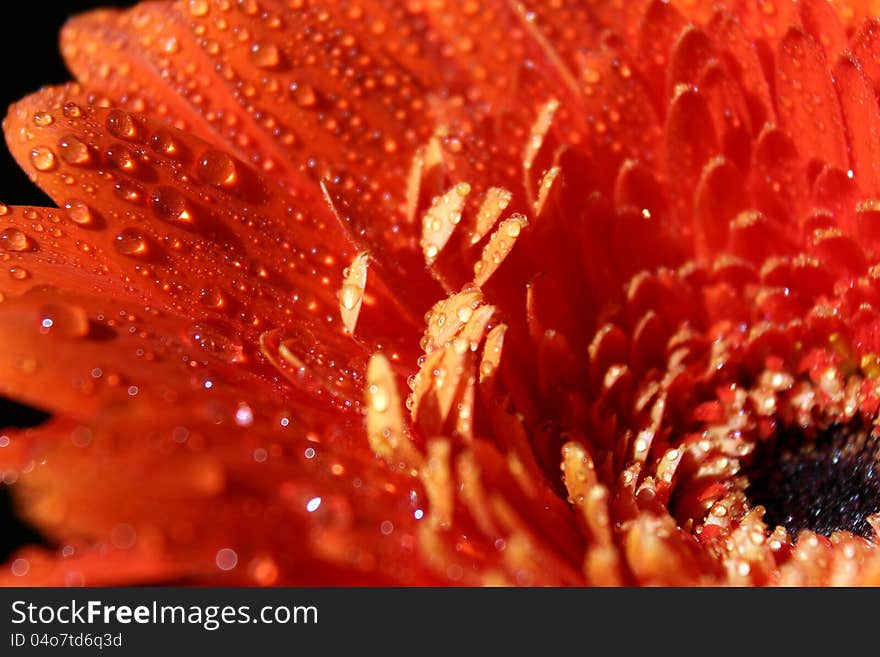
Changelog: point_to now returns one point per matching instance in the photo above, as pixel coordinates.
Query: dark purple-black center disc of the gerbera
(825, 482)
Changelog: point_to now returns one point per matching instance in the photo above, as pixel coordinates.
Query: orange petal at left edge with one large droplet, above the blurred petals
(91, 352)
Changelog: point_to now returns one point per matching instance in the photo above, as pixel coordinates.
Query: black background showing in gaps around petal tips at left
(29, 59)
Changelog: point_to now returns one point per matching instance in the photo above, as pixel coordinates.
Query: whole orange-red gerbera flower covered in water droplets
(645, 235)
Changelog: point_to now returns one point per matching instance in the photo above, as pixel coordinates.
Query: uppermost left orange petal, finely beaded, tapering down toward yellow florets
(272, 103)
